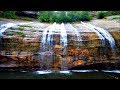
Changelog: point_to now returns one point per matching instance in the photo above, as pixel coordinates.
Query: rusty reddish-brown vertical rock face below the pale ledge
(24, 50)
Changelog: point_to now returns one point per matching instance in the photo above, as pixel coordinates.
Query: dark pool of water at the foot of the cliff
(72, 74)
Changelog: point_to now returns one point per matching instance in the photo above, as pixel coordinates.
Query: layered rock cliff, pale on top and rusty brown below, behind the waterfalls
(20, 47)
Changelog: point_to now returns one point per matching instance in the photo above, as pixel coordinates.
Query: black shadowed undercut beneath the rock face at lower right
(100, 65)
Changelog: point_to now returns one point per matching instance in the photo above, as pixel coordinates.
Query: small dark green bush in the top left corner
(8, 14)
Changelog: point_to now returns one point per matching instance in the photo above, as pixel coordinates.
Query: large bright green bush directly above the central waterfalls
(64, 16)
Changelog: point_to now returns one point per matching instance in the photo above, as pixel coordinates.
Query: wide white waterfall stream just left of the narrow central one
(46, 49)
